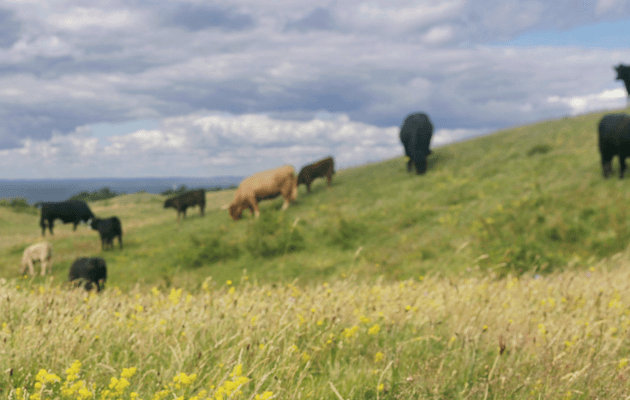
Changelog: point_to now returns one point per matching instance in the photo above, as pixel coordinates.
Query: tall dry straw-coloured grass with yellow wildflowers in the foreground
(563, 335)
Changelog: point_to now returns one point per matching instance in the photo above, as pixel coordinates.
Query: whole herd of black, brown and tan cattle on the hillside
(415, 135)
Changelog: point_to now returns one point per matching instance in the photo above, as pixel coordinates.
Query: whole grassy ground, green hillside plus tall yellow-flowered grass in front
(501, 273)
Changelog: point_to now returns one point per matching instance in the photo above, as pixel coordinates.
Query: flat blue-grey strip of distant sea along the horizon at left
(61, 189)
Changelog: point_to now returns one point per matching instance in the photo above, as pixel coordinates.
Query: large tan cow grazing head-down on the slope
(261, 186)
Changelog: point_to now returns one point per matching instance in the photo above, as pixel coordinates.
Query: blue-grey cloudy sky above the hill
(139, 88)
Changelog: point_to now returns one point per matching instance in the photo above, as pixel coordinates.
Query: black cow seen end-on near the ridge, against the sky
(415, 135)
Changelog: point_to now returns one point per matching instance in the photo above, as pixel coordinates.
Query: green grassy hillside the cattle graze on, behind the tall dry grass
(526, 198)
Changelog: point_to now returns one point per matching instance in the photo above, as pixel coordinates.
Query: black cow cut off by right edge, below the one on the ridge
(614, 139)
